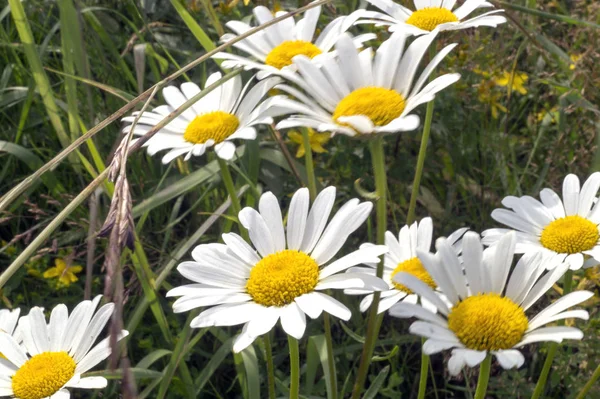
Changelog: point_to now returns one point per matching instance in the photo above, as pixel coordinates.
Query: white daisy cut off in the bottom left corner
(54, 355)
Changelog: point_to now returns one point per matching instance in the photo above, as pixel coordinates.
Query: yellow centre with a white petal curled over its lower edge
(377, 103)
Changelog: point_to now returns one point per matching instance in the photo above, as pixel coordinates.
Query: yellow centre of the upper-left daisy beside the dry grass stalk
(216, 125)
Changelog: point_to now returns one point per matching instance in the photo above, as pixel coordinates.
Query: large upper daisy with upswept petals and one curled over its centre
(361, 92)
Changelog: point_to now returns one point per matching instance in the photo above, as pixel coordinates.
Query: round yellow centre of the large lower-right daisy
(488, 322)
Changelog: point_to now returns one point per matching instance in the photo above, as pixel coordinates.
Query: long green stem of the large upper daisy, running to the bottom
(378, 158)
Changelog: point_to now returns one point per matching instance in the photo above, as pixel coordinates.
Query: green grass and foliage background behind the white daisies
(97, 55)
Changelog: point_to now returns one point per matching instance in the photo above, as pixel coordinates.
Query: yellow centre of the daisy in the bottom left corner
(43, 375)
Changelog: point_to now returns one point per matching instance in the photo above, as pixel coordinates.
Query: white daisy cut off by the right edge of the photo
(562, 230)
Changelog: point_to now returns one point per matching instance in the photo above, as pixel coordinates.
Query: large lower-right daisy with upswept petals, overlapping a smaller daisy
(487, 314)
